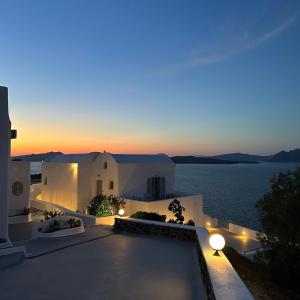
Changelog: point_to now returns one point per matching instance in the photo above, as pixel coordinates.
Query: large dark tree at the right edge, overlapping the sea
(279, 214)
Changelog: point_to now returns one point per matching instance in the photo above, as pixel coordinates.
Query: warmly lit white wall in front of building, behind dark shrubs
(192, 204)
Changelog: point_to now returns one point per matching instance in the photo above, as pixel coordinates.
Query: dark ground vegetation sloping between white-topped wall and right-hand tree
(257, 278)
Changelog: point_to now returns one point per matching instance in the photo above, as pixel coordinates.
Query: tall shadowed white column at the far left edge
(4, 159)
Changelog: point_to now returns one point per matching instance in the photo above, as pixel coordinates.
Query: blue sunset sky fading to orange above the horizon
(167, 76)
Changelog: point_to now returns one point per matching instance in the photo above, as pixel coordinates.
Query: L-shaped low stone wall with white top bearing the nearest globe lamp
(219, 277)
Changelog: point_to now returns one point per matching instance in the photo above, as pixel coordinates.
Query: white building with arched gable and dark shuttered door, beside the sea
(72, 180)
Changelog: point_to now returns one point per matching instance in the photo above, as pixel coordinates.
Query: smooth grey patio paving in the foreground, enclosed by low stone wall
(119, 266)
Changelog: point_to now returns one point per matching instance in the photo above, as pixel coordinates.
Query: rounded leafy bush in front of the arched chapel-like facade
(103, 205)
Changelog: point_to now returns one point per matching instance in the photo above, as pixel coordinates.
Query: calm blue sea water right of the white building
(230, 191)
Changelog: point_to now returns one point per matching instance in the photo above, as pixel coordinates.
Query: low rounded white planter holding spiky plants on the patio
(61, 232)
